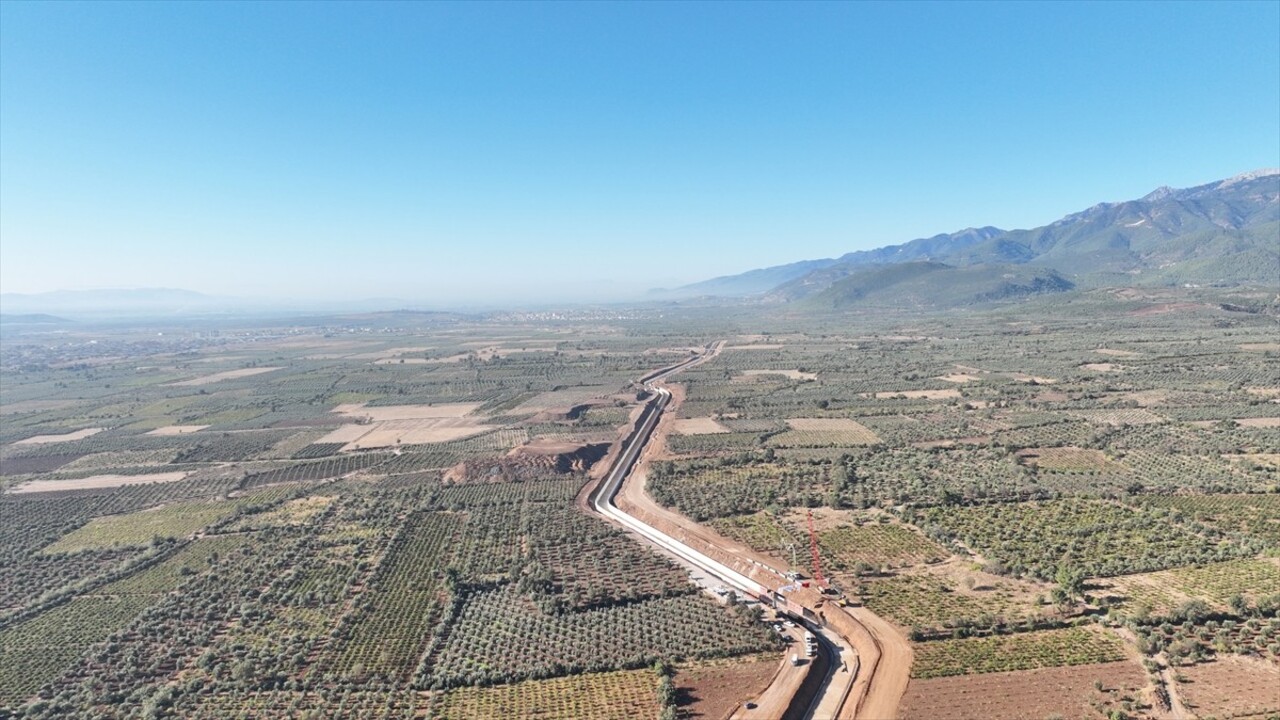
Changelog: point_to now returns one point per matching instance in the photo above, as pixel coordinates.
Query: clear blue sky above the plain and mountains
(496, 153)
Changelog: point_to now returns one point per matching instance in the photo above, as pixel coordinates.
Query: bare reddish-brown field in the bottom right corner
(1231, 687)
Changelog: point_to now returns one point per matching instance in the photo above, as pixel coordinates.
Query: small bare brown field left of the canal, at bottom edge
(715, 690)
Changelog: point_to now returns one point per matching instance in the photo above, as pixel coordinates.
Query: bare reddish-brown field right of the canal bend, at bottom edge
(1025, 694)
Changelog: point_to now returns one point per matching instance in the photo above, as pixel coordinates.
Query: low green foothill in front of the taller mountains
(926, 284)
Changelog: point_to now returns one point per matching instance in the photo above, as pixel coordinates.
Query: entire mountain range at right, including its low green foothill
(1220, 234)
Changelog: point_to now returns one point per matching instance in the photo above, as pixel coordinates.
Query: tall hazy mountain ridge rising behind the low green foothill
(1223, 234)
